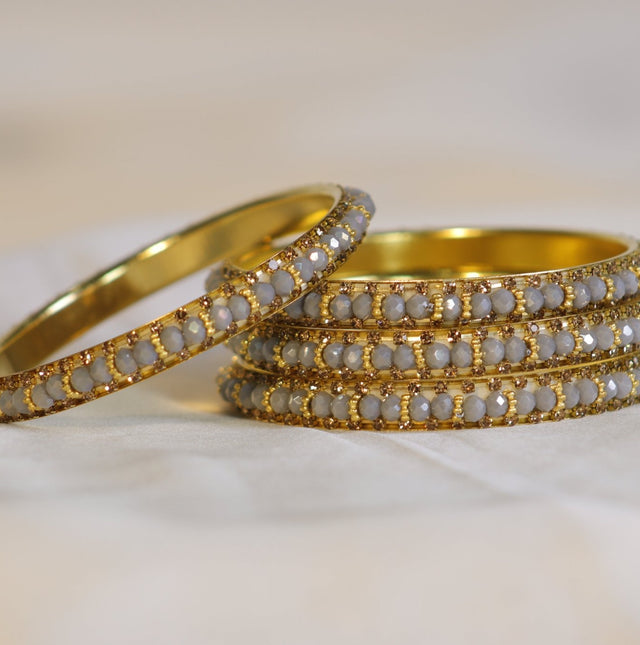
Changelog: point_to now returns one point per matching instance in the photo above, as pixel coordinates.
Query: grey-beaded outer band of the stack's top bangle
(351, 302)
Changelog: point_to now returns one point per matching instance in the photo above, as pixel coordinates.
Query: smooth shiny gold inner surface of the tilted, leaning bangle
(159, 265)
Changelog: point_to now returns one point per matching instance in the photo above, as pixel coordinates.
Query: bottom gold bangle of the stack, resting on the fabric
(419, 405)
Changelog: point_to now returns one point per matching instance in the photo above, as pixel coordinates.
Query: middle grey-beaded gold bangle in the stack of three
(442, 353)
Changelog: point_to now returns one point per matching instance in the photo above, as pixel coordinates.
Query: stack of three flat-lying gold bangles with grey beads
(450, 329)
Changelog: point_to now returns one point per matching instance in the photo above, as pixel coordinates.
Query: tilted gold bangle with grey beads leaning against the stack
(331, 221)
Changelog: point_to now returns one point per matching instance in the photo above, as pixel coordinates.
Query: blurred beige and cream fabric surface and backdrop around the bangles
(156, 516)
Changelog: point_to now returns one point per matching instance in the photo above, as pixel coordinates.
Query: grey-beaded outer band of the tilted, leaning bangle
(195, 327)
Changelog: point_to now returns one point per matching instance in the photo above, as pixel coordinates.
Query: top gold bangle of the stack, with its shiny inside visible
(462, 276)
